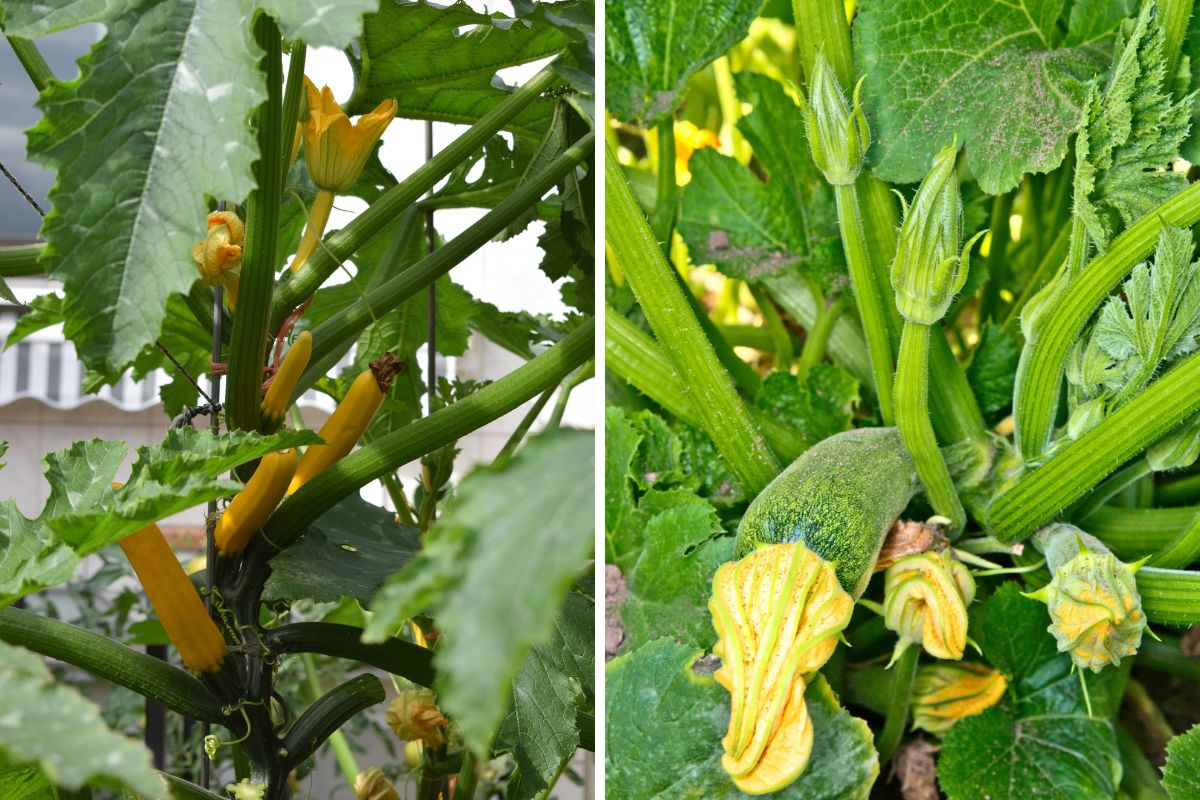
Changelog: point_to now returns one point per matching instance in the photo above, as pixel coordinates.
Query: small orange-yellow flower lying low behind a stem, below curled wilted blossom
(947, 693)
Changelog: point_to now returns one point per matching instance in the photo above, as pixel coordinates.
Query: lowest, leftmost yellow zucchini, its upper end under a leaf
(175, 600)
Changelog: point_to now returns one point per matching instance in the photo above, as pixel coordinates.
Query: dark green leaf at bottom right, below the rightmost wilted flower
(1040, 742)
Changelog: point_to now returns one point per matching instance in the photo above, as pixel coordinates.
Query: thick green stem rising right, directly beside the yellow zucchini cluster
(424, 436)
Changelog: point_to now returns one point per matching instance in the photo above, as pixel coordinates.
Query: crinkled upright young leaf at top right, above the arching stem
(1132, 130)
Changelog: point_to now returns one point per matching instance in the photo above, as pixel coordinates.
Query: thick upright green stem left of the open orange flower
(249, 345)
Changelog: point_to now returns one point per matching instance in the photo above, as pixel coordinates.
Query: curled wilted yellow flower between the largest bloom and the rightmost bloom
(926, 601)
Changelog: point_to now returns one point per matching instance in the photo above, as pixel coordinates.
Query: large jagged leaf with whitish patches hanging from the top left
(166, 98)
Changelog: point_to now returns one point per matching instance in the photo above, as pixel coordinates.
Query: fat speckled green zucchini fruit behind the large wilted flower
(839, 498)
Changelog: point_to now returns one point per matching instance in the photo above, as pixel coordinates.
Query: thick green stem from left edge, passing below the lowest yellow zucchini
(111, 661)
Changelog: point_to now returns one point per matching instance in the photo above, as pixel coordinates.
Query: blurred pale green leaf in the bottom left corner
(64, 735)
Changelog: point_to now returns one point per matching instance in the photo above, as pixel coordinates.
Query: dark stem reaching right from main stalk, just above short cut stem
(395, 657)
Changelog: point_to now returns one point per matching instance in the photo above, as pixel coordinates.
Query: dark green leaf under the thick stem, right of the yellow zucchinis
(350, 552)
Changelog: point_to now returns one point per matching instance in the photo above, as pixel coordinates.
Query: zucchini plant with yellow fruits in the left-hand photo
(194, 159)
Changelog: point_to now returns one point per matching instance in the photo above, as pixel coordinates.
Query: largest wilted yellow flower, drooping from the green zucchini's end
(778, 613)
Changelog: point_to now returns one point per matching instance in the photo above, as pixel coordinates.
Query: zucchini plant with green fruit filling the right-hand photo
(902, 332)
